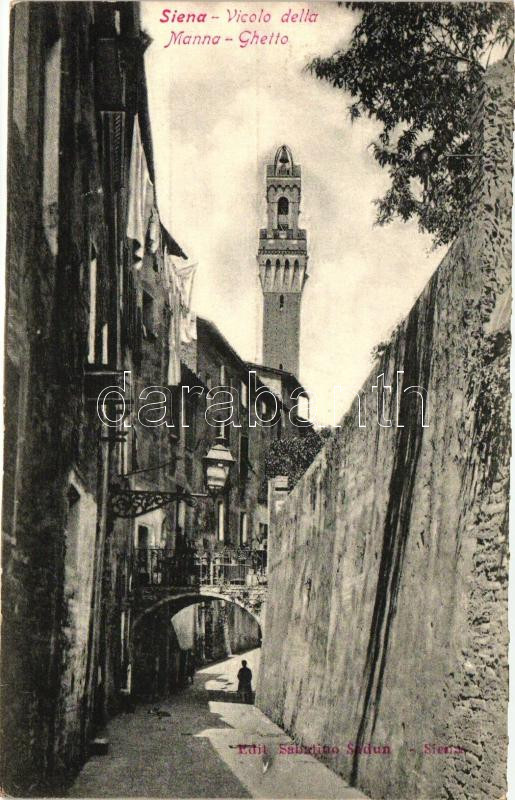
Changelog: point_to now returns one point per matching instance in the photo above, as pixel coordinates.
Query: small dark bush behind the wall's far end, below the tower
(292, 455)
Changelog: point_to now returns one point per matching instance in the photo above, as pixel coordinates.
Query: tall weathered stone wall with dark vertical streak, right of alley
(387, 608)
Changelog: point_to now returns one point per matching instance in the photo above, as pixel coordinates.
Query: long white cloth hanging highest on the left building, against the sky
(140, 194)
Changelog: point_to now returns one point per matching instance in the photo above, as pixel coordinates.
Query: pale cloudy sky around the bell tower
(218, 114)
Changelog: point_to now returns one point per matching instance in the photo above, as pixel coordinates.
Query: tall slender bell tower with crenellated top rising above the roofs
(282, 262)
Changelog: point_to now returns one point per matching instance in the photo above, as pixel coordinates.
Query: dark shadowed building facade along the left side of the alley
(91, 291)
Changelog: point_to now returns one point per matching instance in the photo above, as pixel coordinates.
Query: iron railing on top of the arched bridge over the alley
(156, 566)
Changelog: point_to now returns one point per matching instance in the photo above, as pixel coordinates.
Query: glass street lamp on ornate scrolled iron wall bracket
(128, 503)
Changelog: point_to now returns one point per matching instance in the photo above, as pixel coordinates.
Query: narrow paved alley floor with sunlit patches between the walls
(190, 749)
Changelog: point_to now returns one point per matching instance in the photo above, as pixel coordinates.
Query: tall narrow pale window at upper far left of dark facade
(51, 118)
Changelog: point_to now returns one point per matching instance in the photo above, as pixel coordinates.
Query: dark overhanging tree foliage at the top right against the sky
(414, 67)
